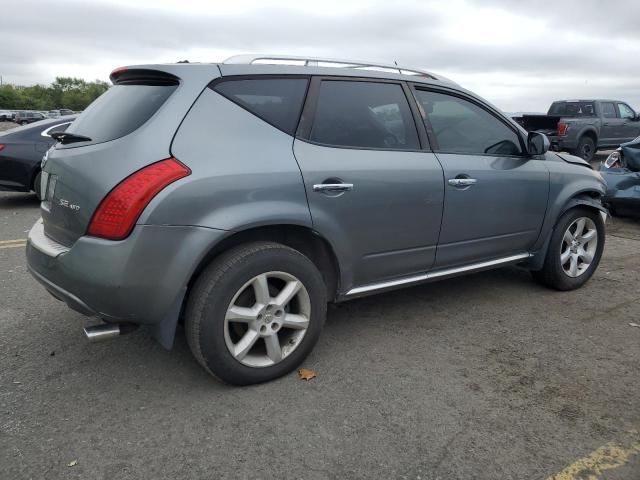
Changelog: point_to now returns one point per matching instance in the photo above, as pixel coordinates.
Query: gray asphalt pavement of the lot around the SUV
(488, 376)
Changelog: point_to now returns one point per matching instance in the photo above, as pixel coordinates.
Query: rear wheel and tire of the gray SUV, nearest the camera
(255, 313)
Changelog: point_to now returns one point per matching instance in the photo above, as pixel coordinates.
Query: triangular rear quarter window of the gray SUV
(275, 100)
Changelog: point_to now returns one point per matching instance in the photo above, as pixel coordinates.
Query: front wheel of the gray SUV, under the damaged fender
(574, 251)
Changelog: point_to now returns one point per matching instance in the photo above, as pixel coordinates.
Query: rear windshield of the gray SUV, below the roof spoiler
(120, 110)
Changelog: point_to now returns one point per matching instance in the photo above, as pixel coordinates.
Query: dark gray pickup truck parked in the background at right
(584, 126)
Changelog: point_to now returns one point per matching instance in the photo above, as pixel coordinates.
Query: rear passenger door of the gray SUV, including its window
(374, 191)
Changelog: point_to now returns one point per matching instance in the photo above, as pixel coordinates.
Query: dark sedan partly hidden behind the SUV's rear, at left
(21, 152)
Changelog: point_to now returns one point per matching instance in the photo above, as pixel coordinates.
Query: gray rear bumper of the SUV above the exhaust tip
(138, 280)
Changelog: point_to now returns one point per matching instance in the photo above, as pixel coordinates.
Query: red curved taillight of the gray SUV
(119, 210)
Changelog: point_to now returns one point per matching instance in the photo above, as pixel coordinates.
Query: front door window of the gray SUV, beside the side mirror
(461, 126)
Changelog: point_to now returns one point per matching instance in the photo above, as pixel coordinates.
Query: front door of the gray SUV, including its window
(495, 195)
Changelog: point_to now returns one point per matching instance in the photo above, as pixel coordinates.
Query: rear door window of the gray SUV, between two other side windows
(364, 114)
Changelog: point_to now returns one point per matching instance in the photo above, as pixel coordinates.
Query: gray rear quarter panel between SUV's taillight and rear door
(244, 173)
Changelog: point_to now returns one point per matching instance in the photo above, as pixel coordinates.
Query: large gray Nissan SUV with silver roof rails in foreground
(241, 197)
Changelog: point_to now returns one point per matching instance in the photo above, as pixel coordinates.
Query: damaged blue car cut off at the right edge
(621, 170)
